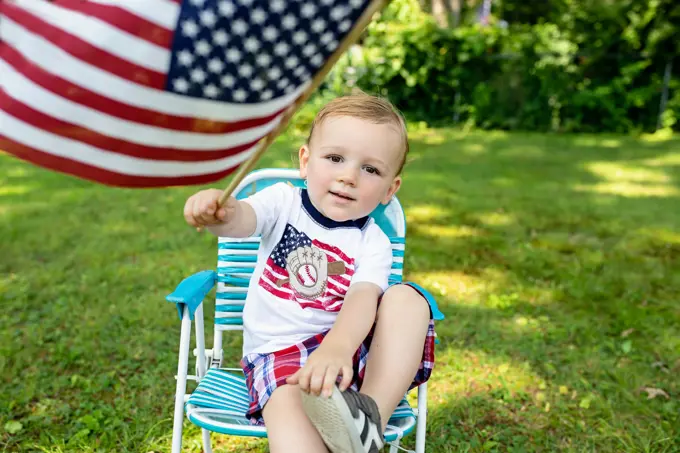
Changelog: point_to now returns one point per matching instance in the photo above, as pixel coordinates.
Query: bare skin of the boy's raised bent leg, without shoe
(396, 348)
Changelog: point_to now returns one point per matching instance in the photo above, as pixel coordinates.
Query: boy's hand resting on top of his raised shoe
(322, 369)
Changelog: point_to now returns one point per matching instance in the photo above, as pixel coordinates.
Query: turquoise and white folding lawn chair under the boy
(220, 401)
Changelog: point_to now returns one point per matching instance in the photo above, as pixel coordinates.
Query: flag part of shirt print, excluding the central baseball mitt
(275, 274)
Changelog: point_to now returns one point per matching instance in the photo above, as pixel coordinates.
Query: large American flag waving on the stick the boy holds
(145, 93)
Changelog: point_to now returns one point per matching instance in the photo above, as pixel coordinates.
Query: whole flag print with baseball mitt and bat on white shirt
(308, 271)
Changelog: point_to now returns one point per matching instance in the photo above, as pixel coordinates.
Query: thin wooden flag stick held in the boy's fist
(350, 39)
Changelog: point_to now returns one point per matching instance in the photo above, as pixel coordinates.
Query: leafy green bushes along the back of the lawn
(598, 67)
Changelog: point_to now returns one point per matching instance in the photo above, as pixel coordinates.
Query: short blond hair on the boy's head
(365, 107)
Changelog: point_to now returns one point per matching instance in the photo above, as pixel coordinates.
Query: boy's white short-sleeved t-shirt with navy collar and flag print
(306, 263)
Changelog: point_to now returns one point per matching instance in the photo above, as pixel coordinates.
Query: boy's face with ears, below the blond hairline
(351, 165)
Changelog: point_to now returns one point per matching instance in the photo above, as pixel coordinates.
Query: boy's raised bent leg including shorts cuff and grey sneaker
(355, 421)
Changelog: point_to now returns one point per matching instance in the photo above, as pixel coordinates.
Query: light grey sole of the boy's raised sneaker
(334, 421)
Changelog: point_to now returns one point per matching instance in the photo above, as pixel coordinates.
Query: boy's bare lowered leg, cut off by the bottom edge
(288, 427)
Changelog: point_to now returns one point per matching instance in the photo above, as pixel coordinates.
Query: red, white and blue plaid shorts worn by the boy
(265, 372)
